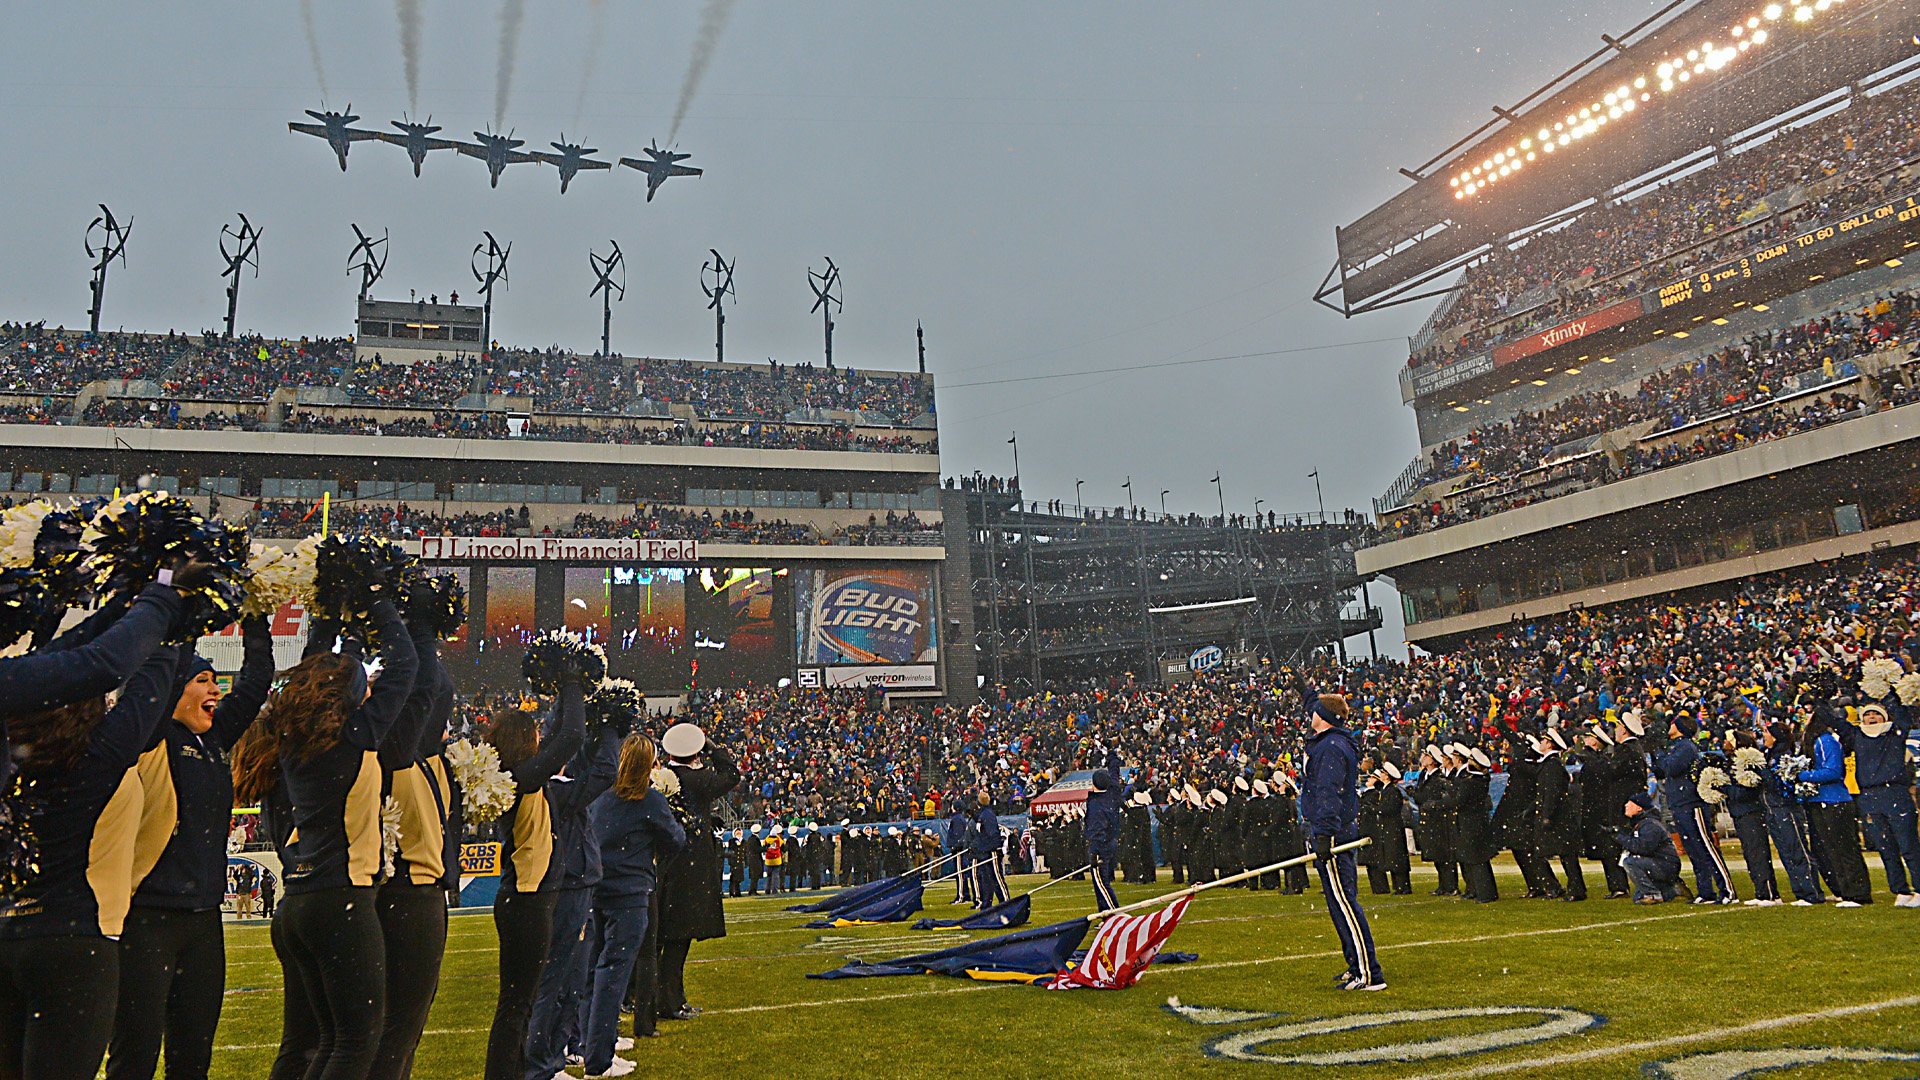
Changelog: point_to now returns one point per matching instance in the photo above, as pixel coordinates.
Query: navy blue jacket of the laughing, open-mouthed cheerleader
(191, 873)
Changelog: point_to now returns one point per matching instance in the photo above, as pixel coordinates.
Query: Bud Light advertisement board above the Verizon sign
(867, 616)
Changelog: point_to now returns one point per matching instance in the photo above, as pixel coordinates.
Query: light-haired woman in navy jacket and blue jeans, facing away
(633, 825)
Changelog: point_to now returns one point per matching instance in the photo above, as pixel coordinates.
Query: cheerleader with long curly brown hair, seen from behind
(322, 741)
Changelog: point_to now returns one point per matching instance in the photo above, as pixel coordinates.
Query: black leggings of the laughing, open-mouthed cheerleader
(174, 981)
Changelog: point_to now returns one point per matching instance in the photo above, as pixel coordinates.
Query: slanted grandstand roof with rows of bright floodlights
(1397, 251)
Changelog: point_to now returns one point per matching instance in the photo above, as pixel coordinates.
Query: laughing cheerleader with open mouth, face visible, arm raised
(174, 958)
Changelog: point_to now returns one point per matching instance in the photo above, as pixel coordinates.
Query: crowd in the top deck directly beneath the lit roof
(1621, 249)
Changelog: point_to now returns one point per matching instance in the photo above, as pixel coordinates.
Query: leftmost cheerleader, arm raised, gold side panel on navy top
(60, 933)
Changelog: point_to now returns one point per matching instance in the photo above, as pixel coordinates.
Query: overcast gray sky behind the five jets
(1051, 187)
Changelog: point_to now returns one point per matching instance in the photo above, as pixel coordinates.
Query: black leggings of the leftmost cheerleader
(57, 1006)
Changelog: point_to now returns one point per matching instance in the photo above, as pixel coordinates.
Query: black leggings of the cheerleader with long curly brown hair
(333, 941)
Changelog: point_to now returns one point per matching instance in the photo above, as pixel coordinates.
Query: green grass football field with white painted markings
(1520, 989)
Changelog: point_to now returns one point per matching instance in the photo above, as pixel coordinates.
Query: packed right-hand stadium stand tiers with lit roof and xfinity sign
(1675, 339)
